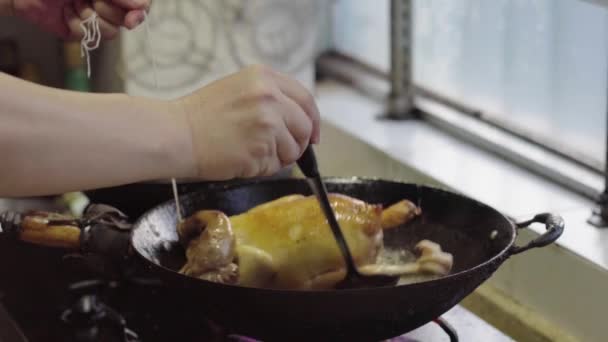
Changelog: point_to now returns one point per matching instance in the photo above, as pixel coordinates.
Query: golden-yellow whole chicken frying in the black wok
(287, 243)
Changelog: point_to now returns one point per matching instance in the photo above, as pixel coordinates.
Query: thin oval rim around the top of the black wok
(499, 258)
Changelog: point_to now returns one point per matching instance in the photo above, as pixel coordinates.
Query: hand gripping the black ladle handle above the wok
(251, 123)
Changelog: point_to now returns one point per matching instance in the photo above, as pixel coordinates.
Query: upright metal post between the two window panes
(400, 100)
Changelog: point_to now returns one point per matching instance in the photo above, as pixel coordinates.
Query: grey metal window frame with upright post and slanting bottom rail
(399, 92)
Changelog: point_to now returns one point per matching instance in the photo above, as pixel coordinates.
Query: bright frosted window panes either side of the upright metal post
(538, 68)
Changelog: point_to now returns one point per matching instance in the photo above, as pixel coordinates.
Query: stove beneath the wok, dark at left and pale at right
(48, 296)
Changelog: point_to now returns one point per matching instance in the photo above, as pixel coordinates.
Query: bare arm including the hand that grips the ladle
(248, 124)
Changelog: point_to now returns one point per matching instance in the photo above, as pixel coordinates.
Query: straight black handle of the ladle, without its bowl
(308, 165)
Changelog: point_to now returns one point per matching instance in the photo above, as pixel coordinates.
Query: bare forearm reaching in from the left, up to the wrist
(54, 141)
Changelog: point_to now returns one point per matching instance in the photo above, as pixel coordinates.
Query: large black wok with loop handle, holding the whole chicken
(479, 237)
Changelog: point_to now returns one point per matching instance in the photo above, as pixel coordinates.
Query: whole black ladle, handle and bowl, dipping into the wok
(354, 279)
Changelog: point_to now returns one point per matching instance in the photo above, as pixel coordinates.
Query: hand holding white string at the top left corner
(63, 17)
